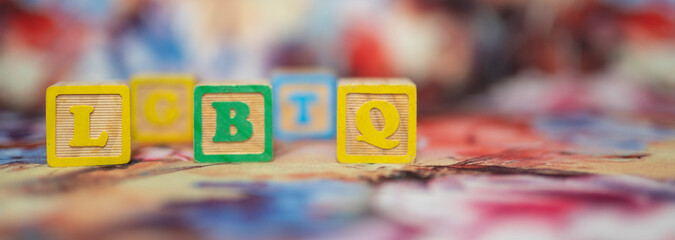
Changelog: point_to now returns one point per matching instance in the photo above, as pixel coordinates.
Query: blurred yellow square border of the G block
(188, 82)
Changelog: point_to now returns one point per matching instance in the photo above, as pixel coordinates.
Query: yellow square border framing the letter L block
(53, 92)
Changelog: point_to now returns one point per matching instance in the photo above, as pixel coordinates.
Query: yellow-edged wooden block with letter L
(87, 124)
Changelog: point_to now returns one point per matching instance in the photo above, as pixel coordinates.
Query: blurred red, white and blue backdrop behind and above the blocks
(613, 55)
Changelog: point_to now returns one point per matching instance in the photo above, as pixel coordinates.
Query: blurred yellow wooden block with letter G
(161, 107)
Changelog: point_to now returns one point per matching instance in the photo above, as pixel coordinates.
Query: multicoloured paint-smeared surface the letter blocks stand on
(476, 176)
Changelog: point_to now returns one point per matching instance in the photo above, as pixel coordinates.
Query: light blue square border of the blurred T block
(327, 79)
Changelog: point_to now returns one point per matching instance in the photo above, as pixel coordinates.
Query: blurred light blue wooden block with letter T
(304, 105)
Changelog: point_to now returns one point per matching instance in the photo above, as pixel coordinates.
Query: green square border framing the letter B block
(200, 90)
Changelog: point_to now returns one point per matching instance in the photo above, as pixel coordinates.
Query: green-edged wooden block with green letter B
(233, 122)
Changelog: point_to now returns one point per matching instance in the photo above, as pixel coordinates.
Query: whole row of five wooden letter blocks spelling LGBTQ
(94, 123)
